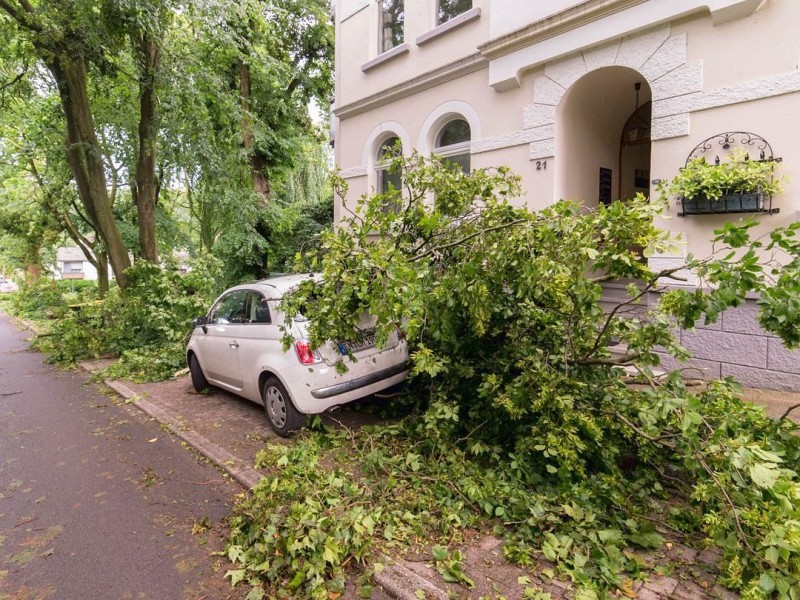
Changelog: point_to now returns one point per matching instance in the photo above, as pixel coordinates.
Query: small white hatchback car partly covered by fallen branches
(237, 347)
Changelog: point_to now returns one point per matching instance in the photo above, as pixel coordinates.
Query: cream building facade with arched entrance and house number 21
(591, 100)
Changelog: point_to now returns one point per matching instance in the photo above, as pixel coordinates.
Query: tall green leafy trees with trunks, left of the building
(144, 126)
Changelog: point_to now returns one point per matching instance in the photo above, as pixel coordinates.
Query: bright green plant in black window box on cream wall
(737, 185)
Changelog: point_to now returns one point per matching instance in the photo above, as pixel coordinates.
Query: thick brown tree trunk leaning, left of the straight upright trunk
(85, 156)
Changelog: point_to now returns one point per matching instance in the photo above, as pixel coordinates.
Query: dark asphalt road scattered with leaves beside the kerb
(96, 500)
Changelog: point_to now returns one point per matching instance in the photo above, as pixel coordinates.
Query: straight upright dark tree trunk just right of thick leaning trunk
(147, 51)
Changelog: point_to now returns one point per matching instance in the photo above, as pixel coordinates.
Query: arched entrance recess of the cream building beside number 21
(603, 137)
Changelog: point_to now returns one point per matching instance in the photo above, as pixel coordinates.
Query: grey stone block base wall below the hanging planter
(736, 346)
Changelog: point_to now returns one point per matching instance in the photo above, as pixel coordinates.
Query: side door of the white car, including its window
(220, 356)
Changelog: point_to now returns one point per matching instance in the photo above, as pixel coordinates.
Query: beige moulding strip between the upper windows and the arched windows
(418, 84)
